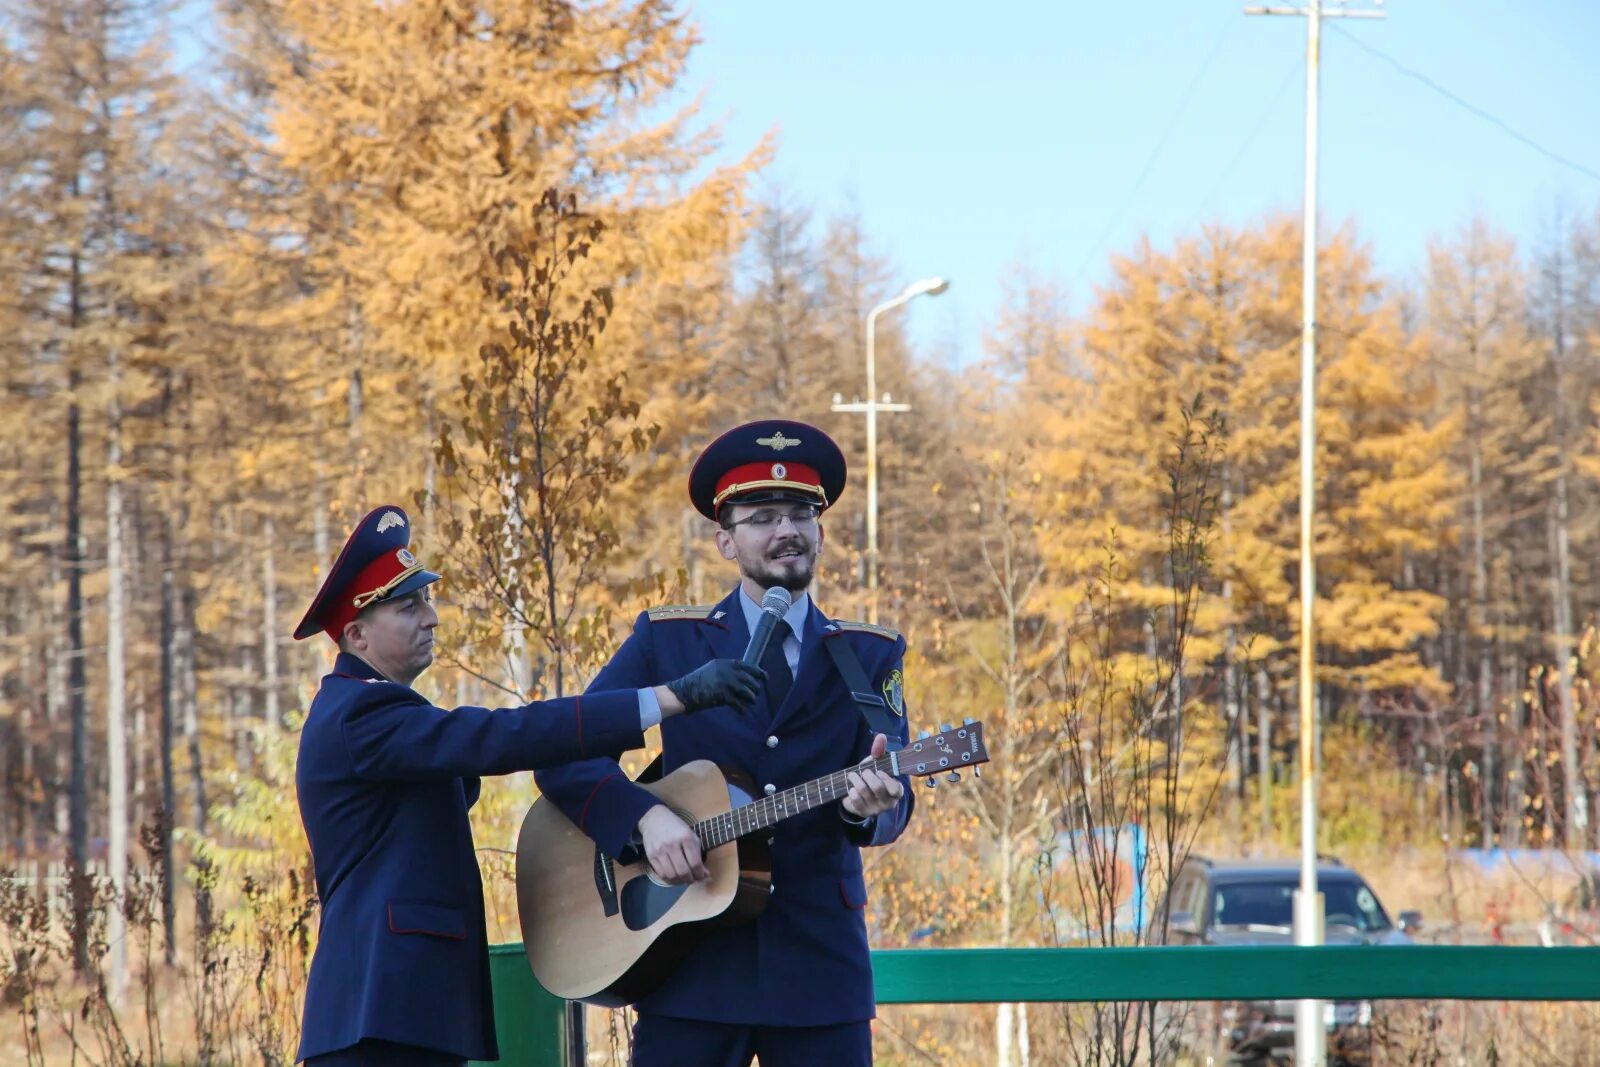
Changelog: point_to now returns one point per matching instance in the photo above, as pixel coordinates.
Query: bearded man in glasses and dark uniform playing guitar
(794, 988)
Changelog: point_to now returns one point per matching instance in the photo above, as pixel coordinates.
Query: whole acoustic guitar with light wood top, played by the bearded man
(606, 930)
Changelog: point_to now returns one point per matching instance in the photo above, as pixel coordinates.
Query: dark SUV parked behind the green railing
(1252, 903)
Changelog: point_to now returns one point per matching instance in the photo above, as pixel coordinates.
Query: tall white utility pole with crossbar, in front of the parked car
(1311, 1039)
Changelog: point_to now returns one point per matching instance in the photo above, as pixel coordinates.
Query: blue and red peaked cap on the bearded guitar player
(774, 460)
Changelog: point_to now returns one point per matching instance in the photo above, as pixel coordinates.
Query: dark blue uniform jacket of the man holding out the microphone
(385, 785)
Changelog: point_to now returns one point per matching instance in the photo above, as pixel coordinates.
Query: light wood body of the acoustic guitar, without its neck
(606, 932)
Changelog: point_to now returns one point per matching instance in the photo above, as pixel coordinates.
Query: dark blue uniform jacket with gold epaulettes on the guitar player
(806, 959)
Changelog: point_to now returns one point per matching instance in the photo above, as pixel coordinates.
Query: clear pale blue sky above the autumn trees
(974, 138)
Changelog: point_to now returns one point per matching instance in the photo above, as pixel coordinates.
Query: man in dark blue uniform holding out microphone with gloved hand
(385, 783)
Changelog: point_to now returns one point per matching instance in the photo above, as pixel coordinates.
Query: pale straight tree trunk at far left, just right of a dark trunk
(116, 693)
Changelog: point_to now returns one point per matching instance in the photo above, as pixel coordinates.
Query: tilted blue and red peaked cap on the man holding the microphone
(375, 565)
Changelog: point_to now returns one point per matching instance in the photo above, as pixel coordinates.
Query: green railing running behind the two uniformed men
(530, 1020)
